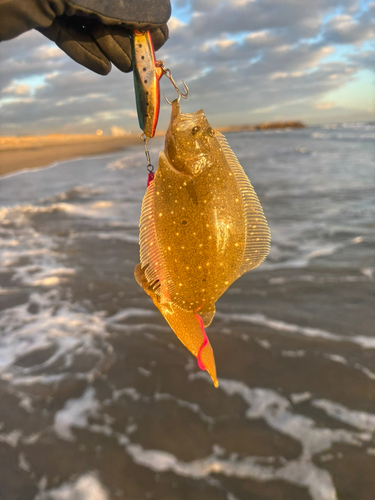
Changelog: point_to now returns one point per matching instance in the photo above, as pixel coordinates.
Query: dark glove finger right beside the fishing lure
(114, 42)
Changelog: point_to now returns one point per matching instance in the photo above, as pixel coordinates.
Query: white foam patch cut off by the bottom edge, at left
(86, 487)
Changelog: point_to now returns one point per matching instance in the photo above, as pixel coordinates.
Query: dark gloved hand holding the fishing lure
(92, 32)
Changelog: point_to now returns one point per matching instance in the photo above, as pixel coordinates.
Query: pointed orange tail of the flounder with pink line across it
(189, 328)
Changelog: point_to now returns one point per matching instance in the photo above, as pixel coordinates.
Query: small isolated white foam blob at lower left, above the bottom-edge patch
(75, 414)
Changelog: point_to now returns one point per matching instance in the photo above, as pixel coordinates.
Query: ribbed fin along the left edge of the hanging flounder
(152, 264)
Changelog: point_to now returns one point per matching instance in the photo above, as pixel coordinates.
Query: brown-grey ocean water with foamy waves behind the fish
(99, 399)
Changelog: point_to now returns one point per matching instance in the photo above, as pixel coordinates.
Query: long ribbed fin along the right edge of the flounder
(258, 236)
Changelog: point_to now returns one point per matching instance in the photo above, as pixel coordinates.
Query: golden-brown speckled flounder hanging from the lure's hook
(201, 228)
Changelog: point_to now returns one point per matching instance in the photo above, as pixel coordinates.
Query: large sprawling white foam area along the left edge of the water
(67, 328)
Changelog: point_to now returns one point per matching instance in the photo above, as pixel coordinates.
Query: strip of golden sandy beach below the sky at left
(20, 153)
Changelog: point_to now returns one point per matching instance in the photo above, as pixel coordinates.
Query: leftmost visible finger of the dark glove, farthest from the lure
(74, 40)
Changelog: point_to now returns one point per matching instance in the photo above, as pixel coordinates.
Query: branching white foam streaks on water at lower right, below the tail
(278, 413)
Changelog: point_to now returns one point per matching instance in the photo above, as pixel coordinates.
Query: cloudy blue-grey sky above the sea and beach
(245, 61)
